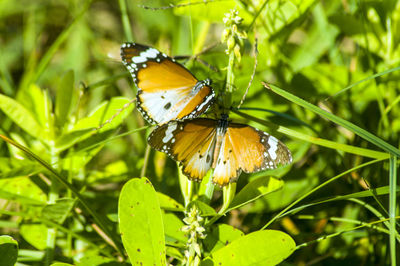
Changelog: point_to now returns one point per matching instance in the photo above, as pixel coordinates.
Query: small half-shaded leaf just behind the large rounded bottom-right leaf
(220, 236)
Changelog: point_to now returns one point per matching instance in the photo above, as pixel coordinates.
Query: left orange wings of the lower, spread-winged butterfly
(190, 142)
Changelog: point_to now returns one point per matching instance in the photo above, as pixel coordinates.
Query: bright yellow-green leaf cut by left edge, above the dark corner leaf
(23, 190)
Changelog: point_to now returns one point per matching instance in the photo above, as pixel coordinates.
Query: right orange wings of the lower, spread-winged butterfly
(249, 149)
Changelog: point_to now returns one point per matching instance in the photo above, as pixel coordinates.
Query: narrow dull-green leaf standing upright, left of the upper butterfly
(64, 96)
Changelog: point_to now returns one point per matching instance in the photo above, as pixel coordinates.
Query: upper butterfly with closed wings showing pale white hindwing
(166, 89)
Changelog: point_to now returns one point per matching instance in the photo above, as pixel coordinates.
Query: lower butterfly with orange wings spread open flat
(229, 148)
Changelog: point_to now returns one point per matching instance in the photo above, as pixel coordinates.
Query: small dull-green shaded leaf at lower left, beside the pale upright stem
(58, 211)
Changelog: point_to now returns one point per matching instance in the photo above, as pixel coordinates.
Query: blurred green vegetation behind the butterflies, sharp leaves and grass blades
(61, 76)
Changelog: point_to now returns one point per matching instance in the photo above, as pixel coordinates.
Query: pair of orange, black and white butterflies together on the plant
(170, 96)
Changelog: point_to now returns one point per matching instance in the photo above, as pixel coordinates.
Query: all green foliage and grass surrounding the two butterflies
(326, 83)
